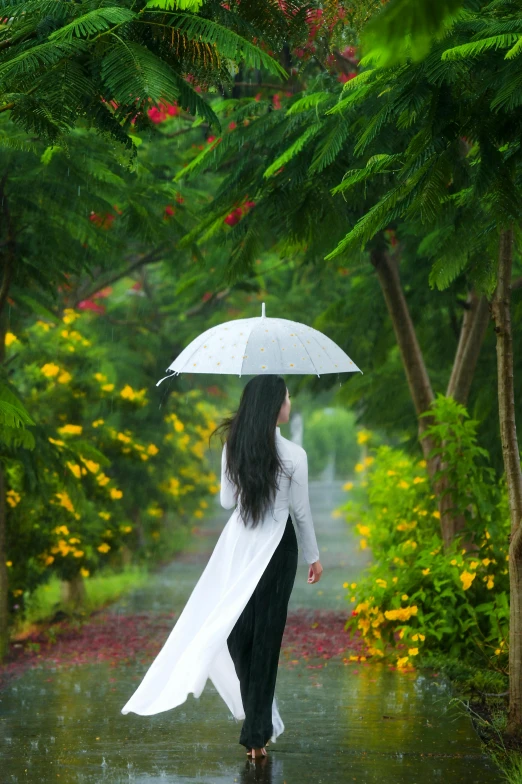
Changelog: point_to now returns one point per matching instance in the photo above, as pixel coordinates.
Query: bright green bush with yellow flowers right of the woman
(416, 598)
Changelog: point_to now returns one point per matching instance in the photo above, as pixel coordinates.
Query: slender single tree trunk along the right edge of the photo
(501, 311)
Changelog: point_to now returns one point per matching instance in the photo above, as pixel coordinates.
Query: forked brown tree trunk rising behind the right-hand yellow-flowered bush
(419, 382)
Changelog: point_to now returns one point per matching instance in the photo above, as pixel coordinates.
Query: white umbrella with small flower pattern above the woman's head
(253, 346)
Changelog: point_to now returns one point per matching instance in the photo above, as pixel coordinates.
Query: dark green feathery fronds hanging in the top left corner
(63, 61)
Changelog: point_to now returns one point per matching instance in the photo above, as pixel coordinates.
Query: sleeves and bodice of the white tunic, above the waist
(292, 496)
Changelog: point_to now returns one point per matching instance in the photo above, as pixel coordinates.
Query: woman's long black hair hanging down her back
(253, 461)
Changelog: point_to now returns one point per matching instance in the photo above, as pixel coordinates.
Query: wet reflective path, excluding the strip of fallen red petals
(360, 722)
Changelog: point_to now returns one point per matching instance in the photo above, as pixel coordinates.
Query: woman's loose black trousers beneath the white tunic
(255, 641)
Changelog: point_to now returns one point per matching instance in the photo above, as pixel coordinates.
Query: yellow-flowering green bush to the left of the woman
(111, 474)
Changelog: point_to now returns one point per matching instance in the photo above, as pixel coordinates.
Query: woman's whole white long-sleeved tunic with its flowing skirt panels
(196, 648)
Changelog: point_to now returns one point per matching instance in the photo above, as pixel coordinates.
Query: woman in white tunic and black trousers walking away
(231, 627)
